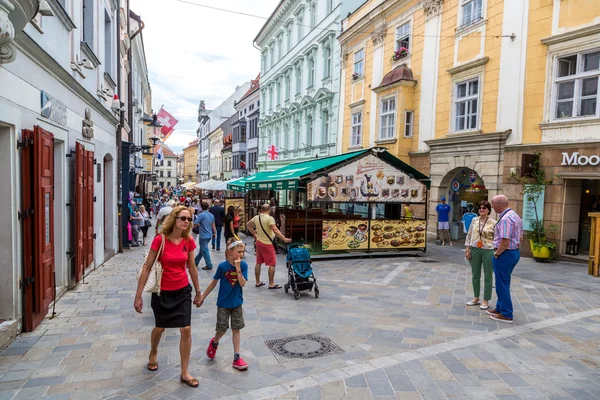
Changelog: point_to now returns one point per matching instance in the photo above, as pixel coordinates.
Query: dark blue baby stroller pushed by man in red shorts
(300, 272)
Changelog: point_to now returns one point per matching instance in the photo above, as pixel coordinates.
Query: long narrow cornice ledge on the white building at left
(28, 46)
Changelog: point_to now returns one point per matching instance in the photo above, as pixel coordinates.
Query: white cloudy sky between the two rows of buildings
(195, 53)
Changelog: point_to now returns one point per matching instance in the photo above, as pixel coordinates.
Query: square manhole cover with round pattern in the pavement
(302, 347)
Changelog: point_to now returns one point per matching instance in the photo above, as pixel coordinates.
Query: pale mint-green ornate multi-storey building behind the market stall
(300, 80)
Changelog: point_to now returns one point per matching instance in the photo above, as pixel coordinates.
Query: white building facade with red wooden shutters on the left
(58, 151)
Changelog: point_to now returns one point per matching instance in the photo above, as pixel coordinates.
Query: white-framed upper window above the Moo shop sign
(576, 86)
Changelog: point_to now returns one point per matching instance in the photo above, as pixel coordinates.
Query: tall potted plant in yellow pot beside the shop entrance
(533, 186)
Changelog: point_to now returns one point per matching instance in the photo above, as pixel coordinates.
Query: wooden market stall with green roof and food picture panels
(363, 201)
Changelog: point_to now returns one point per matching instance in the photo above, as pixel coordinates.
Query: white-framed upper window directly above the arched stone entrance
(466, 105)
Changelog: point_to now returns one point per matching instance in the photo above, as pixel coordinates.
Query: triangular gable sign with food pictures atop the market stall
(368, 179)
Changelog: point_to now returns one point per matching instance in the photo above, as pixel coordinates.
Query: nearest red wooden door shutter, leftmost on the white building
(38, 224)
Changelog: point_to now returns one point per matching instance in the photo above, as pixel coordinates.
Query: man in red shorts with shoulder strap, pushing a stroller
(264, 230)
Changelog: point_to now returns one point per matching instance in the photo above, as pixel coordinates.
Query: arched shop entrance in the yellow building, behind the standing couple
(465, 190)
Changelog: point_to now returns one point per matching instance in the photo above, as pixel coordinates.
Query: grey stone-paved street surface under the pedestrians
(401, 322)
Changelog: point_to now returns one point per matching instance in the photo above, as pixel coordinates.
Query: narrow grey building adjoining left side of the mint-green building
(245, 132)
